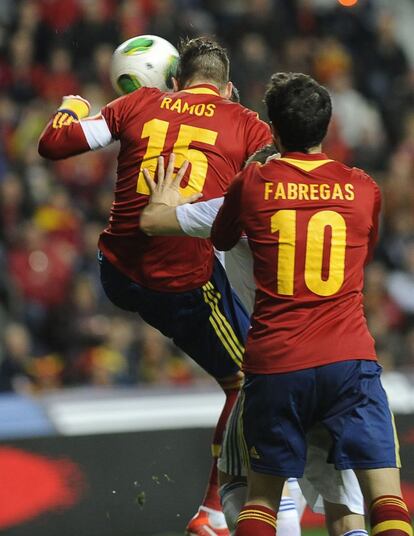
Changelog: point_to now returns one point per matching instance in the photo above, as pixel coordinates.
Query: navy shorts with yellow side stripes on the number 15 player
(209, 324)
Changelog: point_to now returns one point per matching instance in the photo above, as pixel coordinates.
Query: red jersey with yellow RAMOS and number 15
(197, 124)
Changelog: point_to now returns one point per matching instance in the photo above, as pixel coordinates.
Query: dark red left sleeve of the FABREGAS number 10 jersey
(228, 227)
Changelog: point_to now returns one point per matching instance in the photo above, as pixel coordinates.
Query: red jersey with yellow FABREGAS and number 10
(311, 223)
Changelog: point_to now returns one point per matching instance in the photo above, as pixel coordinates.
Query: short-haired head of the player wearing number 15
(202, 58)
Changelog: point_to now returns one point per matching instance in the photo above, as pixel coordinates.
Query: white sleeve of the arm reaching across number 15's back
(196, 220)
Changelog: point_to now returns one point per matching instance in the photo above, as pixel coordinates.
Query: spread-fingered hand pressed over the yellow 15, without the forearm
(167, 190)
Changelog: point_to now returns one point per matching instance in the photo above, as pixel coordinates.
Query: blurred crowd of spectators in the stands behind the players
(56, 326)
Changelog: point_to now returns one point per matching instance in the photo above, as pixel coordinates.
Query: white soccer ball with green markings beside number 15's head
(145, 60)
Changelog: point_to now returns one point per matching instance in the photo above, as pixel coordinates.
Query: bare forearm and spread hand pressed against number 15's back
(159, 216)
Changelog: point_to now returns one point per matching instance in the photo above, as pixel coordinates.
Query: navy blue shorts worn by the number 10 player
(346, 397)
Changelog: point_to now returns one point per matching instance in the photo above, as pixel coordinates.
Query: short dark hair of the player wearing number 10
(299, 108)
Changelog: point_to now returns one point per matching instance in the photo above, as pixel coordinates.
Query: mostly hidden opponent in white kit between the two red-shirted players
(326, 490)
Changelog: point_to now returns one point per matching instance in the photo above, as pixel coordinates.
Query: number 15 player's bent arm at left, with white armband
(71, 132)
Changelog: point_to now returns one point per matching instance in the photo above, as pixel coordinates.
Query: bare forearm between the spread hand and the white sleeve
(160, 220)
